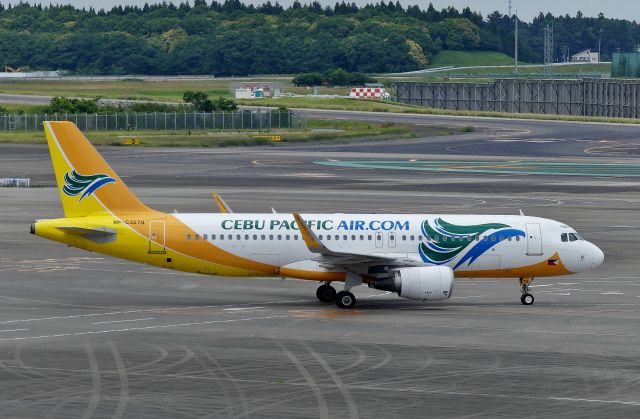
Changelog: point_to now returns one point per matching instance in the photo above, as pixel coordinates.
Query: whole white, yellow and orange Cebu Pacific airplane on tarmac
(416, 256)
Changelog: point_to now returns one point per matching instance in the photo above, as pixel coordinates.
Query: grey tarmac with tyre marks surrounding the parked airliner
(82, 335)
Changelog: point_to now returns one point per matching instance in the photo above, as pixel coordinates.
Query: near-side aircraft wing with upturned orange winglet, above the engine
(334, 258)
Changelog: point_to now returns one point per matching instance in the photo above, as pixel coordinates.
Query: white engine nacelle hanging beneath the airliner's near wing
(429, 283)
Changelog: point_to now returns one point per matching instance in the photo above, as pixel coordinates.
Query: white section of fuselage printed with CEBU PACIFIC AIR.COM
(472, 245)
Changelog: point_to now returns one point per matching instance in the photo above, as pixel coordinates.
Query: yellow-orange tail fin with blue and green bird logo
(86, 182)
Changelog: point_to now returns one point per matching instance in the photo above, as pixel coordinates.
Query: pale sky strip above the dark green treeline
(527, 9)
